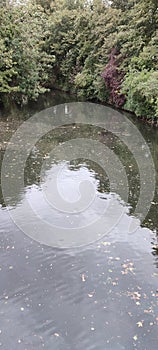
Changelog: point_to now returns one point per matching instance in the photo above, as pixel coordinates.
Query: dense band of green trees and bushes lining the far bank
(99, 49)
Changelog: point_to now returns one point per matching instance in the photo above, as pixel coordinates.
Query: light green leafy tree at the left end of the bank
(24, 61)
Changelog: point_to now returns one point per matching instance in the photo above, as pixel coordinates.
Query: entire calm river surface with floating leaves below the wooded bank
(91, 291)
